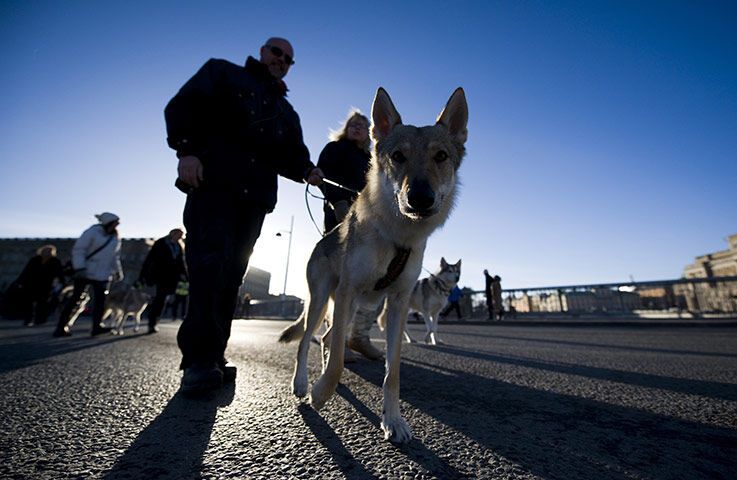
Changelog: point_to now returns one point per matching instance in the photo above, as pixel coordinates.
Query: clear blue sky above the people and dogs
(602, 135)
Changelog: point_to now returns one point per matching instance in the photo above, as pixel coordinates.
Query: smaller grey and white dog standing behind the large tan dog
(429, 296)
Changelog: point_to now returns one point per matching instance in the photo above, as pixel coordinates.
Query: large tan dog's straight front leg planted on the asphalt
(393, 424)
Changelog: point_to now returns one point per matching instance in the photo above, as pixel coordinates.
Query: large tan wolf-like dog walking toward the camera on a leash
(374, 257)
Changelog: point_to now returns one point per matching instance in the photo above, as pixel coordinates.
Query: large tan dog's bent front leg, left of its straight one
(325, 386)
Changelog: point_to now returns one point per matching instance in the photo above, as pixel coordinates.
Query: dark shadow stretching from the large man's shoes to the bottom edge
(174, 444)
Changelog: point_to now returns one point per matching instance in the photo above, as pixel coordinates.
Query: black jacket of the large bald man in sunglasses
(237, 121)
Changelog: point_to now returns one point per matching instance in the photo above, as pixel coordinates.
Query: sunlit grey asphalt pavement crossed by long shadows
(515, 400)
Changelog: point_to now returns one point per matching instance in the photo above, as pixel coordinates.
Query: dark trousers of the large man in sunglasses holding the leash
(222, 228)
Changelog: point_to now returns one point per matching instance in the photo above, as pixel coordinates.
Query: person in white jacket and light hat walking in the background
(96, 261)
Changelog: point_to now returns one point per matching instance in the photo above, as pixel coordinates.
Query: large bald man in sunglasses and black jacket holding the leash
(234, 132)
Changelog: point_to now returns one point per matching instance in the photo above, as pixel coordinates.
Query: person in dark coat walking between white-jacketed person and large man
(163, 267)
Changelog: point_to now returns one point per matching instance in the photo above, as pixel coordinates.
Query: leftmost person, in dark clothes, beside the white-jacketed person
(36, 282)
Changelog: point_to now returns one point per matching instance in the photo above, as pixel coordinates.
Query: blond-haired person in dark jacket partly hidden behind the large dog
(345, 160)
